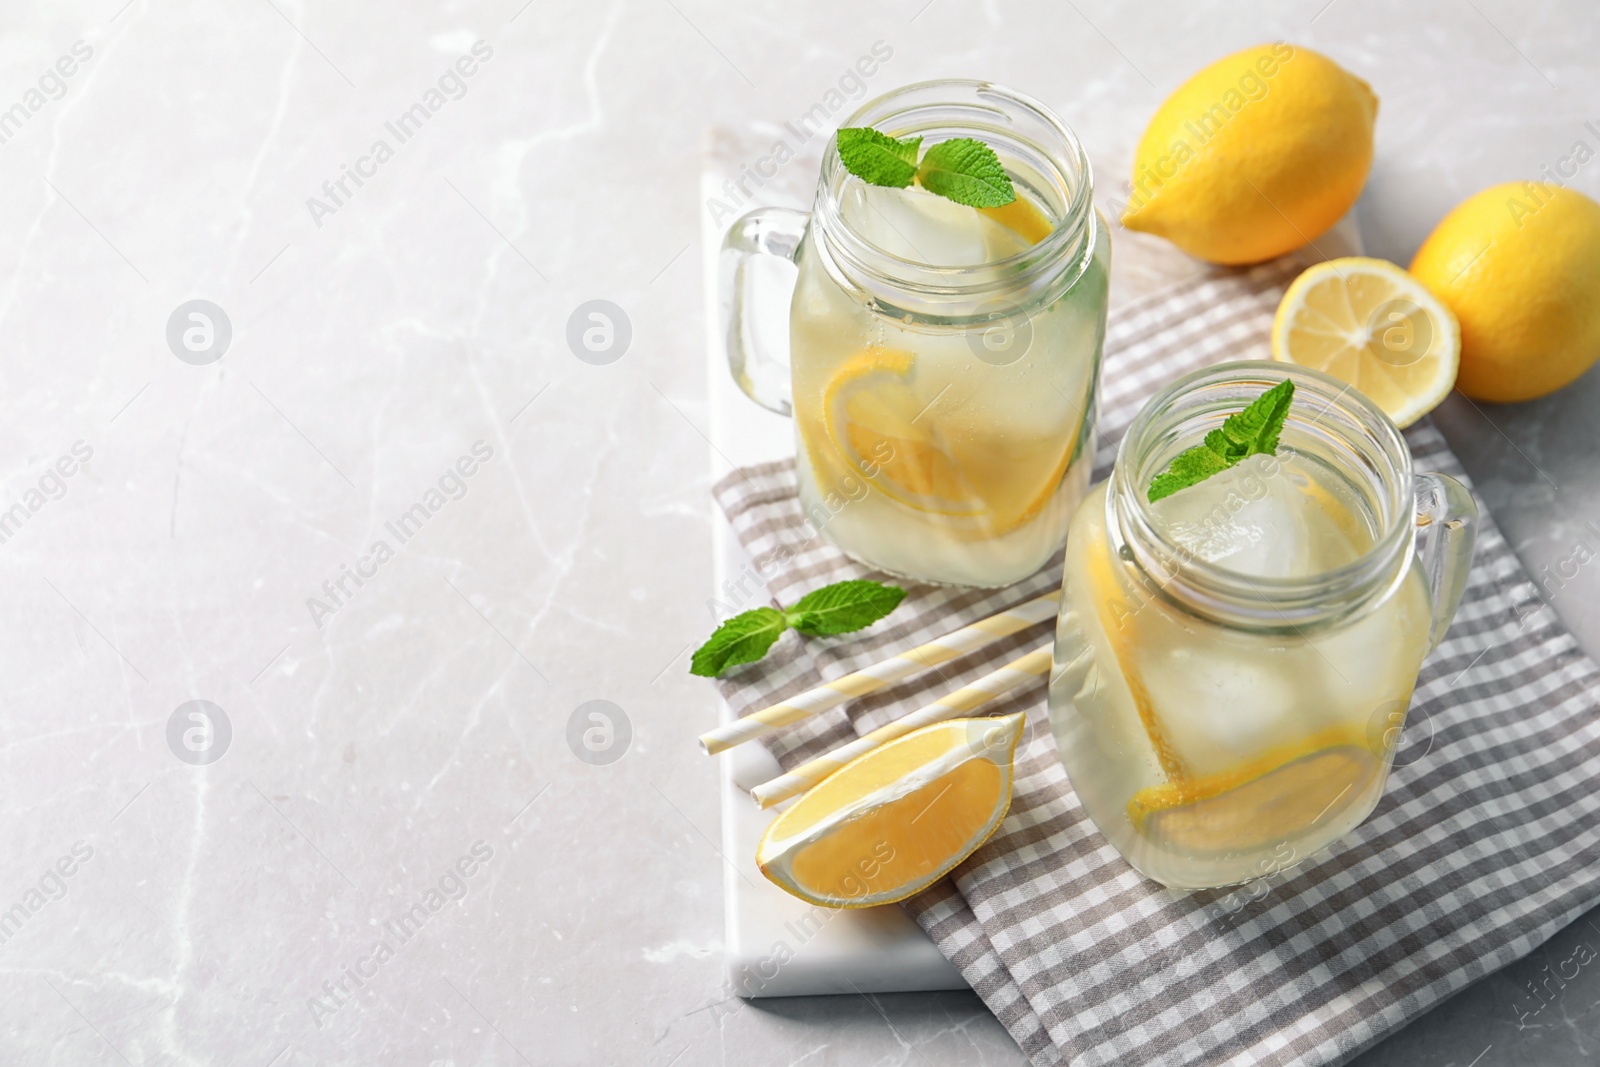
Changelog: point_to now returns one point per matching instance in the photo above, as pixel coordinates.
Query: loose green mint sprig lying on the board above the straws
(838, 609)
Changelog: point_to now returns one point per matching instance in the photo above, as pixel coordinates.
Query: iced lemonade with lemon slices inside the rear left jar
(953, 442)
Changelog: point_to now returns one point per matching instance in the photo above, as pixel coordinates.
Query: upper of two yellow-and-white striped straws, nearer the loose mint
(873, 679)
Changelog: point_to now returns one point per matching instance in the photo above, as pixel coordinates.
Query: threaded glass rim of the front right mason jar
(1233, 596)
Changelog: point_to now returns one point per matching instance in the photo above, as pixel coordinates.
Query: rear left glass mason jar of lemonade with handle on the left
(943, 361)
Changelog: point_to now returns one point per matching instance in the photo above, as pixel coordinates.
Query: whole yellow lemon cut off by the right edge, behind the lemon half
(1521, 268)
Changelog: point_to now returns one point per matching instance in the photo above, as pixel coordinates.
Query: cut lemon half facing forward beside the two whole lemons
(1370, 324)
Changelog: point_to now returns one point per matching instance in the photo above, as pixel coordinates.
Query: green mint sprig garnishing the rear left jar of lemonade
(962, 170)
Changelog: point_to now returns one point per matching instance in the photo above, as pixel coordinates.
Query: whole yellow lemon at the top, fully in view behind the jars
(1255, 156)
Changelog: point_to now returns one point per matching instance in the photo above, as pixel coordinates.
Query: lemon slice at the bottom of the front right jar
(1270, 799)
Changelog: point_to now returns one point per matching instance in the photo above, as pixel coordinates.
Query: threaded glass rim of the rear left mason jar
(921, 106)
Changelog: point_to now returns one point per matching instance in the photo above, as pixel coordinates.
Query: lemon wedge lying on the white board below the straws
(897, 820)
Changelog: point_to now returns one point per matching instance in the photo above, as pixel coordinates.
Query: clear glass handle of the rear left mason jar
(764, 377)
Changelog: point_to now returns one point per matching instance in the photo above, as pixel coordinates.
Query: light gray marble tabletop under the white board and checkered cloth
(308, 597)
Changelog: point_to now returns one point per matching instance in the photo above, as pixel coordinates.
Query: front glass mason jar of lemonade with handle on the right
(1233, 663)
